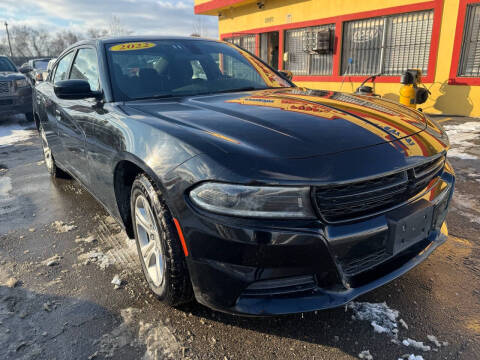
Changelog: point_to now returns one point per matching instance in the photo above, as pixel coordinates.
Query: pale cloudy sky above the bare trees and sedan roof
(142, 17)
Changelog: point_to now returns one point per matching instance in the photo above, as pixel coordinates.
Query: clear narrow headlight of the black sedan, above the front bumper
(254, 201)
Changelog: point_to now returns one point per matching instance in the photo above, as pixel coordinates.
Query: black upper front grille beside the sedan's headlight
(344, 202)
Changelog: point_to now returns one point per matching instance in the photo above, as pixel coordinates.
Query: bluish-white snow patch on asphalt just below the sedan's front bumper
(381, 317)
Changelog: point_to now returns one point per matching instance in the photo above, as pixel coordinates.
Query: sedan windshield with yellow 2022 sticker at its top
(166, 68)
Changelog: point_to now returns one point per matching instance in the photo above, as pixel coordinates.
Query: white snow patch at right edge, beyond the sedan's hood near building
(462, 137)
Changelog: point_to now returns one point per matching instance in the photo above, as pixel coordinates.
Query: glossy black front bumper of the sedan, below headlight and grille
(255, 267)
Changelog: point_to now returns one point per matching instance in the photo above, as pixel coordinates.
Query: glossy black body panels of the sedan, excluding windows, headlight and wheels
(287, 136)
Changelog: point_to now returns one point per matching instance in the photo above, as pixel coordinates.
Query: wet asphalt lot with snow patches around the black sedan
(60, 250)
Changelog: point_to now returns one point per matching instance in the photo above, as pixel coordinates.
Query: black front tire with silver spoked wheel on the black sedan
(158, 245)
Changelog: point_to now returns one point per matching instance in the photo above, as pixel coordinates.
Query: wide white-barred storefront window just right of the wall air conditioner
(387, 45)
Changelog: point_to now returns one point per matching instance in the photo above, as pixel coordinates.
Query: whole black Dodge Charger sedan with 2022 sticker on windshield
(243, 191)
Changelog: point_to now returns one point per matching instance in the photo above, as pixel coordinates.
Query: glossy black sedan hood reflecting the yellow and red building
(289, 123)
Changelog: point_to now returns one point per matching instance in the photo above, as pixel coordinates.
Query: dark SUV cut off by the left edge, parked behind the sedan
(15, 91)
